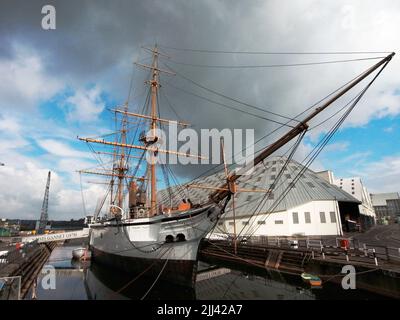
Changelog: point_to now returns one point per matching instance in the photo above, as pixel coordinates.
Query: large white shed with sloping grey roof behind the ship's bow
(309, 207)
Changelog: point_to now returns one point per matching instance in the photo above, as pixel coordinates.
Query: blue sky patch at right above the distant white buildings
(366, 151)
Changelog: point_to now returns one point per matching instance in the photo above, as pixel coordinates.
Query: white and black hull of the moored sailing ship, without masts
(161, 245)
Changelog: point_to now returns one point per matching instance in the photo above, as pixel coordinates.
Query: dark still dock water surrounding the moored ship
(82, 281)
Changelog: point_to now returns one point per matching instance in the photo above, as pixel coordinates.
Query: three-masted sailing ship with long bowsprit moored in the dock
(147, 238)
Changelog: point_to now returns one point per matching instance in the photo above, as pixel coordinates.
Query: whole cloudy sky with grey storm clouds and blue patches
(58, 84)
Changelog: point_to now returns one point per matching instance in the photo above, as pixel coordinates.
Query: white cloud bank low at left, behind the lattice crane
(22, 191)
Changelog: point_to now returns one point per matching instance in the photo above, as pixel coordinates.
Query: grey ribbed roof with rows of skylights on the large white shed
(310, 187)
